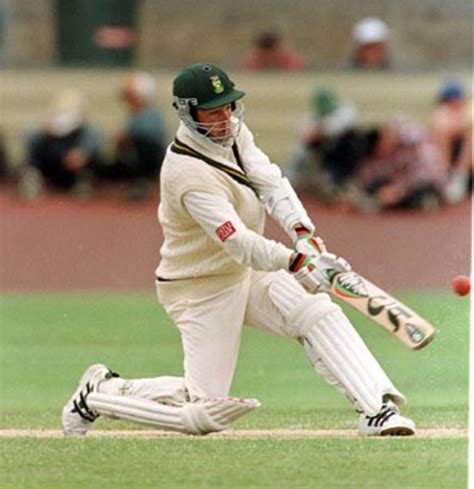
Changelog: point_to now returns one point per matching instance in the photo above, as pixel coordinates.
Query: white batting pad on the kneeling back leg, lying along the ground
(196, 418)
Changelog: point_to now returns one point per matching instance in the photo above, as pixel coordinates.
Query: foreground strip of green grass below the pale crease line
(173, 464)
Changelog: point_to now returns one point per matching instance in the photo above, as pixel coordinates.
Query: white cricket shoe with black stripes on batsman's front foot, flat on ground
(388, 422)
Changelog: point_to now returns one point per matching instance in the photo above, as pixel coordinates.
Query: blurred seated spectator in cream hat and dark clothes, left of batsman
(64, 152)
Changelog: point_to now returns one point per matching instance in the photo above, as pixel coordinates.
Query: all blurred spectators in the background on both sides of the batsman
(396, 164)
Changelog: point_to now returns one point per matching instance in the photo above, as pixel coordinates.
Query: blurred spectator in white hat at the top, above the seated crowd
(371, 38)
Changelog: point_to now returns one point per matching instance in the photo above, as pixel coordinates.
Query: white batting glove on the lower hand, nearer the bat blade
(315, 273)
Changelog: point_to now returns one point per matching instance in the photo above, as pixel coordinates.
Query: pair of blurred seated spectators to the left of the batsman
(66, 152)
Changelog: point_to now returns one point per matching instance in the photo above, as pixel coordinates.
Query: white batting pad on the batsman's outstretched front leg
(333, 346)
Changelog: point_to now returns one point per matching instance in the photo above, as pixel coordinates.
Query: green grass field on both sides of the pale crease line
(48, 340)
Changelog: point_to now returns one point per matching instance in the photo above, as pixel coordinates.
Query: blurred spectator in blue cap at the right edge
(452, 127)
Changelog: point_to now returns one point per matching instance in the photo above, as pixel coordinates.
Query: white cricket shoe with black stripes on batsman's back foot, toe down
(77, 416)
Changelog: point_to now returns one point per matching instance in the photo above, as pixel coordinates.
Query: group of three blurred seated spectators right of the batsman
(396, 164)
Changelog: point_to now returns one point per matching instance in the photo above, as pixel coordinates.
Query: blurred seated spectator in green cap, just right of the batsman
(326, 157)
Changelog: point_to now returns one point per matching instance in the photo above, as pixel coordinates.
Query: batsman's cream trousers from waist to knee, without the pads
(211, 330)
